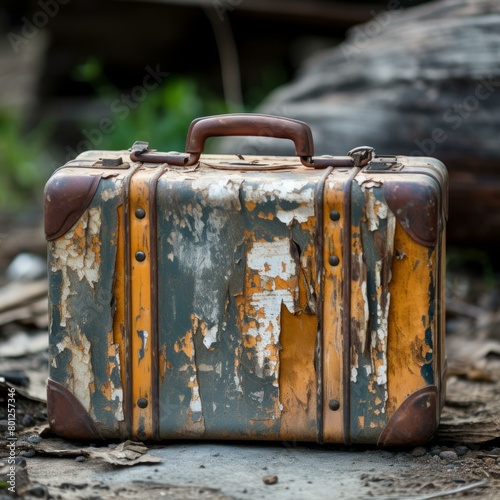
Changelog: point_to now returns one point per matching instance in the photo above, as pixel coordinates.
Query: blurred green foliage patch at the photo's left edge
(21, 163)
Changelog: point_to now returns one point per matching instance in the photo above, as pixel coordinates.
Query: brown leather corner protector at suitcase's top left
(66, 198)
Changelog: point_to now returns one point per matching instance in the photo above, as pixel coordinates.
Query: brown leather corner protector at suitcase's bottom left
(67, 416)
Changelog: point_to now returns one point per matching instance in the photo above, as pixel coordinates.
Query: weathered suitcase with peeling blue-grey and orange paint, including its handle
(231, 297)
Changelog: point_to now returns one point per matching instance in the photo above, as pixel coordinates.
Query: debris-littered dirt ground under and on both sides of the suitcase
(463, 459)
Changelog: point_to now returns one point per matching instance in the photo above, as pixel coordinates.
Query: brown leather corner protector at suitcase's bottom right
(415, 421)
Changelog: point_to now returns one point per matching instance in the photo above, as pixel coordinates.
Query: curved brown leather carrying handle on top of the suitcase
(250, 124)
